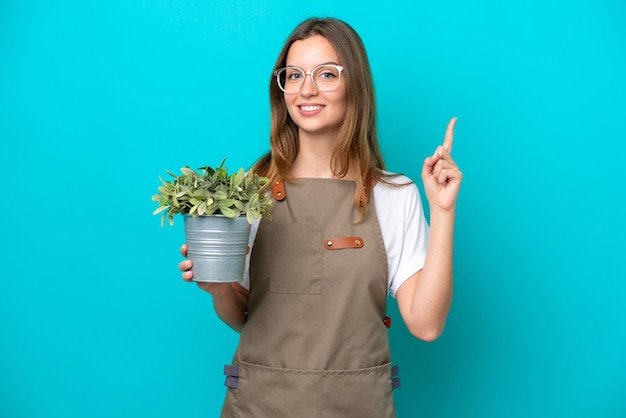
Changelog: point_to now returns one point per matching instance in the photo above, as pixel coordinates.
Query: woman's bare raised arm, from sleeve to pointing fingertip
(424, 299)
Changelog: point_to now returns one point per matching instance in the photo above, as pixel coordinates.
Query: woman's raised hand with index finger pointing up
(441, 176)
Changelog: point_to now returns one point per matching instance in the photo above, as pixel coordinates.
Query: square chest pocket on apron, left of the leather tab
(296, 260)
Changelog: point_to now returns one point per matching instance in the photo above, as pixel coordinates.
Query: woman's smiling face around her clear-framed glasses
(315, 112)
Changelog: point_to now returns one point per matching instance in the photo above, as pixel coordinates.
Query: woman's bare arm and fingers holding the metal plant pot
(229, 299)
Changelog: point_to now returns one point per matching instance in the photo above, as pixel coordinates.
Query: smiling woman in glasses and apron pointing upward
(344, 233)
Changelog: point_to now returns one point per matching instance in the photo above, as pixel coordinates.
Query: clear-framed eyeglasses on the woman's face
(325, 77)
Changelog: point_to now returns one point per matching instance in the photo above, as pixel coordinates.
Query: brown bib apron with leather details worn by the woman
(315, 342)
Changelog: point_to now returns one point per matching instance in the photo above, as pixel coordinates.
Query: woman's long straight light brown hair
(357, 149)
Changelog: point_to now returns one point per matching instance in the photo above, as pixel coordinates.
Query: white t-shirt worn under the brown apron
(402, 224)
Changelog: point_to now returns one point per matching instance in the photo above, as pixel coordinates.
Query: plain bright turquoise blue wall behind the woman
(98, 98)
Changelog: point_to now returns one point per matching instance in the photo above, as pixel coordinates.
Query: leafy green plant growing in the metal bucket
(213, 191)
